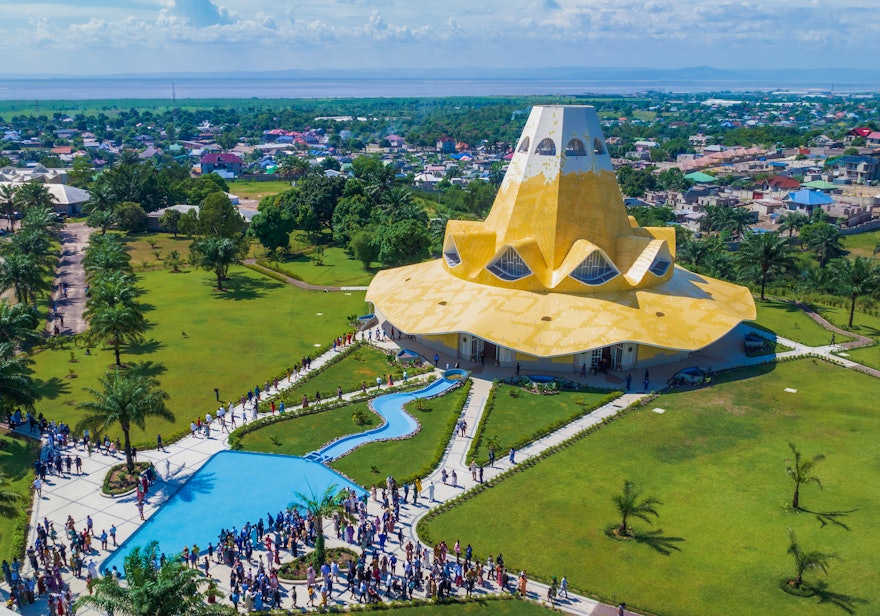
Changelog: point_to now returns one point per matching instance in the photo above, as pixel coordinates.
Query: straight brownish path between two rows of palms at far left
(70, 307)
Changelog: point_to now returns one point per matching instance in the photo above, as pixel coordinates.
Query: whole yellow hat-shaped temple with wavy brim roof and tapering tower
(558, 276)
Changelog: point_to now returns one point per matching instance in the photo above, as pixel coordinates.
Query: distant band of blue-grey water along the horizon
(242, 86)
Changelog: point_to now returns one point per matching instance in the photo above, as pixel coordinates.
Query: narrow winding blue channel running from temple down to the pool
(398, 423)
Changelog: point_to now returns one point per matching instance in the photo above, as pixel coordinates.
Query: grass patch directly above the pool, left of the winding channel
(298, 436)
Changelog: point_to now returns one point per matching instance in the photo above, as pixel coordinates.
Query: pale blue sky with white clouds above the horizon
(135, 36)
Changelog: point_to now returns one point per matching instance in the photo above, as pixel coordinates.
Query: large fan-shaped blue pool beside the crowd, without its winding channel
(233, 487)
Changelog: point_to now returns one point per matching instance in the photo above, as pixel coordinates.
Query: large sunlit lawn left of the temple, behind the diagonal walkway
(201, 339)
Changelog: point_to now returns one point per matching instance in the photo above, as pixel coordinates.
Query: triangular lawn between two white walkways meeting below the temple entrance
(517, 416)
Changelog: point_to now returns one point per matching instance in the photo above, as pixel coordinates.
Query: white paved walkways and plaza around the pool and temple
(79, 496)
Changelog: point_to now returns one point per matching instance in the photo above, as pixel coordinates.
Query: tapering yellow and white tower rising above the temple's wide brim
(558, 222)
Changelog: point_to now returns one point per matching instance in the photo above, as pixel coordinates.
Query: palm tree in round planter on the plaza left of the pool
(127, 399)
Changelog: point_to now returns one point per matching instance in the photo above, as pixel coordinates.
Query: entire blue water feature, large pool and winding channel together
(234, 487)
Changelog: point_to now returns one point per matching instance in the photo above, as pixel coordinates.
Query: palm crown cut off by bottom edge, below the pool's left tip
(152, 588)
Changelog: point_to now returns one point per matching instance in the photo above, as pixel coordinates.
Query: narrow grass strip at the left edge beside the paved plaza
(17, 457)
